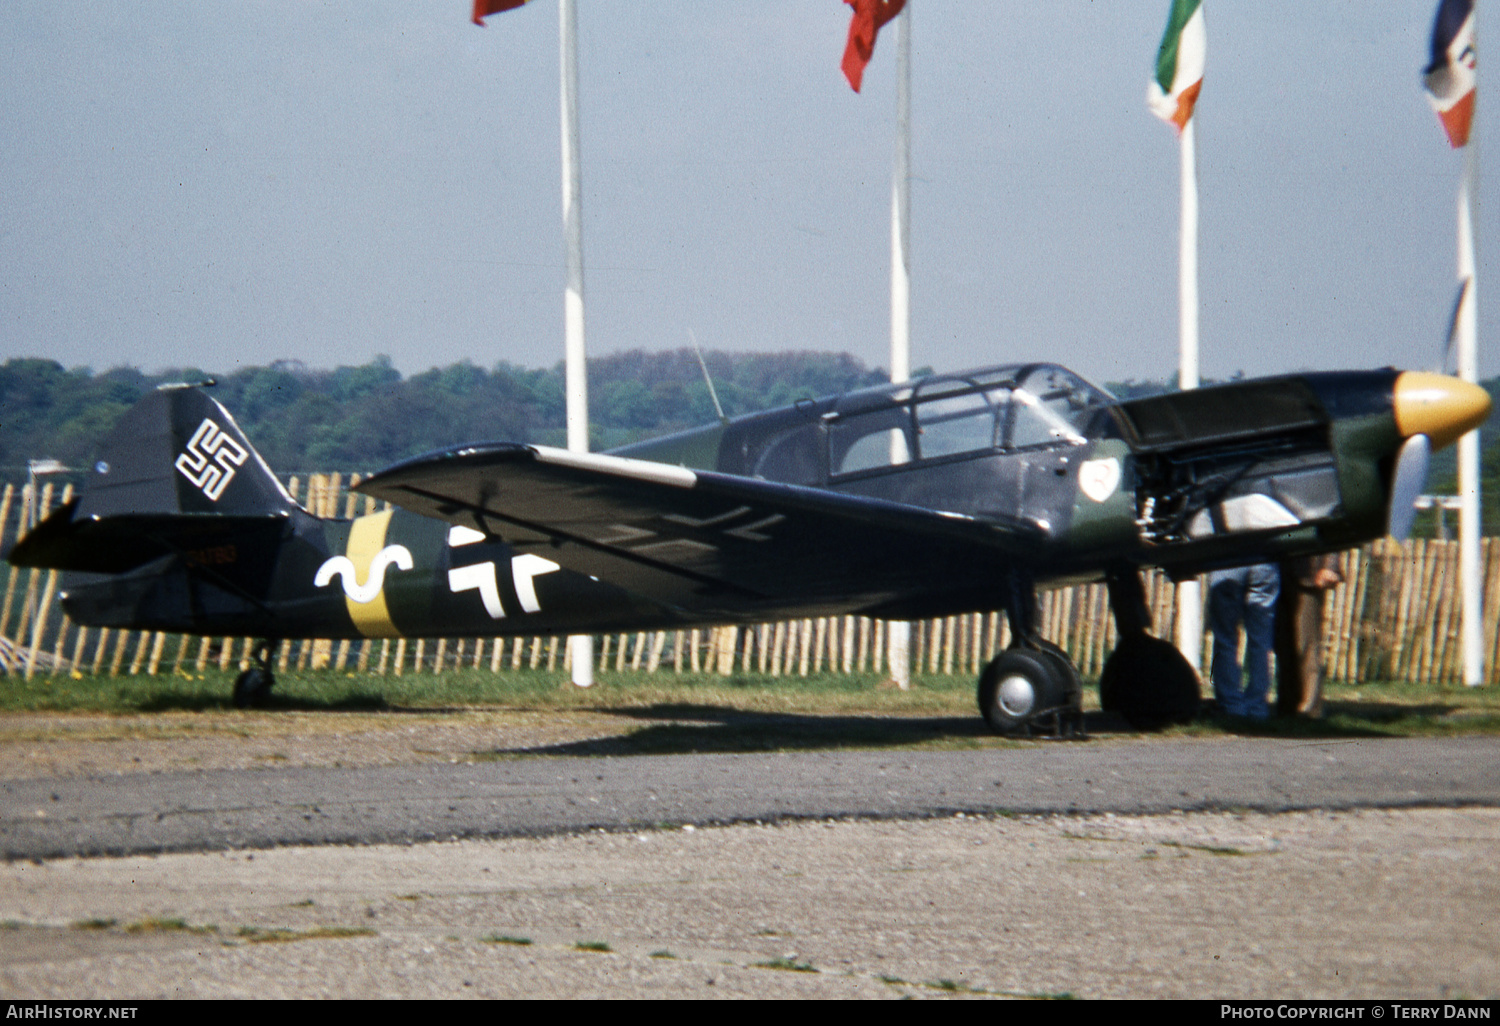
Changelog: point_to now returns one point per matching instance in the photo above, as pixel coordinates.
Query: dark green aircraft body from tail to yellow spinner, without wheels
(1021, 473)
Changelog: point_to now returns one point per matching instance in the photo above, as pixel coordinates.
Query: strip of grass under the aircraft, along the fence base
(673, 713)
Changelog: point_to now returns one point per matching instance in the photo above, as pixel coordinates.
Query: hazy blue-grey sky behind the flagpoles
(227, 185)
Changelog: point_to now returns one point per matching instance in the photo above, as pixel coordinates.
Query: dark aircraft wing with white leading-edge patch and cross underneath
(706, 542)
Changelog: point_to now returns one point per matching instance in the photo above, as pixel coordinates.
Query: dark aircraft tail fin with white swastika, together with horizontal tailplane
(175, 475)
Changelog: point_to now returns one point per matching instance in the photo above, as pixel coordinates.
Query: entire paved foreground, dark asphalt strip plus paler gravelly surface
(1228, 868)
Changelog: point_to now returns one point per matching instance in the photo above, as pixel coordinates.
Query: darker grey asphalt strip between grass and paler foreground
(179, 812)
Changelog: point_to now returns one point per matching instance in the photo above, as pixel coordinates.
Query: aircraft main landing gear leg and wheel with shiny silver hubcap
(1033, 683)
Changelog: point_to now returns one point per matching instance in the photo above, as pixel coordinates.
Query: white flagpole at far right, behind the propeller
(1468, 332)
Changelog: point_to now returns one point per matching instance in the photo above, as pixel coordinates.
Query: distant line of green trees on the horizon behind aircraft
(365, 418)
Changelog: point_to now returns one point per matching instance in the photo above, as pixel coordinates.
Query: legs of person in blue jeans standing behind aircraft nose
(1244, 596)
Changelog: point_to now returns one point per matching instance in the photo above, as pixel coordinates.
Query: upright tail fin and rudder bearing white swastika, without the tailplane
(181, 452)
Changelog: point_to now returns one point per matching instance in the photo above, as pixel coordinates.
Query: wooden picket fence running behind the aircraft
(1396, 617)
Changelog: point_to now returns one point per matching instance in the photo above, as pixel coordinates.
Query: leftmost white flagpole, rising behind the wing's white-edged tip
(581, 647)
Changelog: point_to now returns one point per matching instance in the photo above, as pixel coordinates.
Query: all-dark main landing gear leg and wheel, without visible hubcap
(1147, 680)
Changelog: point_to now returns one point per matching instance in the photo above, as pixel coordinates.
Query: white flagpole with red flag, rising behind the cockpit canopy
(901, 634)
